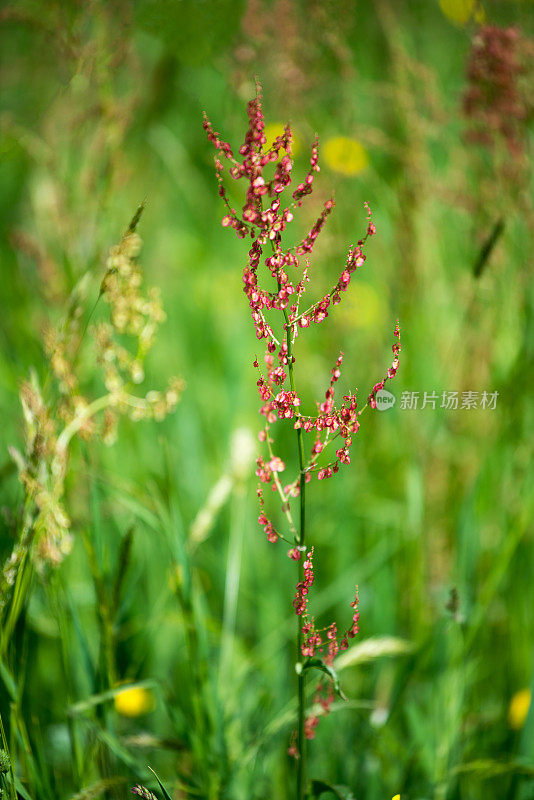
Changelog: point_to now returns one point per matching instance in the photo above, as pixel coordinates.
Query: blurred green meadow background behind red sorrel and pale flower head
(102, 107)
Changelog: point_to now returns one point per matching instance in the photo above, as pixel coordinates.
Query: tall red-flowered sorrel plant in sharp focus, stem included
(264, 219)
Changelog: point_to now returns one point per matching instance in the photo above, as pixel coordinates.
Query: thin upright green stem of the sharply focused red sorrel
(301, 680)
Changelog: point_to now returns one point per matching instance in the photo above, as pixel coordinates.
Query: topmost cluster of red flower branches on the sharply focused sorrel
(264, 218)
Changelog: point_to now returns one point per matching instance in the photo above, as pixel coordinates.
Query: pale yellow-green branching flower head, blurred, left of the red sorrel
(64, 412)
